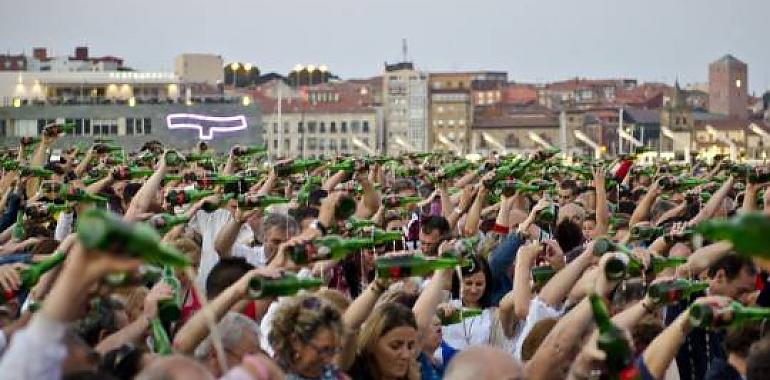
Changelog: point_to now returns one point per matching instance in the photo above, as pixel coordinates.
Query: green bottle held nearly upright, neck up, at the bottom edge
(619, 354)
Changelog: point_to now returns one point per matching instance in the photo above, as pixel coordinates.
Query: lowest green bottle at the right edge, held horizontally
(712, 317)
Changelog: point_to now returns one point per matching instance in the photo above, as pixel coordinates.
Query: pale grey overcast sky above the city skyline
(534, 40)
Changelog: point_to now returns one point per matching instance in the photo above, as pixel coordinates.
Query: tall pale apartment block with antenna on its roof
(405, 104)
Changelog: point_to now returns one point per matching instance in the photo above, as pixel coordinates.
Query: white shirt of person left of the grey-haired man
(208, 225)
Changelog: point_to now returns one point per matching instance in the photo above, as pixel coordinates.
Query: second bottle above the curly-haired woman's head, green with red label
(330, 247)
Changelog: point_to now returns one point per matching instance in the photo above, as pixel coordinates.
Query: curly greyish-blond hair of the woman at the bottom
(301, 318)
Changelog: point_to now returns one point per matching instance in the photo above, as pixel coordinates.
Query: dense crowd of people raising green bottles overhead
(165, 264)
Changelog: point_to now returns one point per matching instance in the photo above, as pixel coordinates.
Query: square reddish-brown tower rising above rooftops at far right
(728, 87)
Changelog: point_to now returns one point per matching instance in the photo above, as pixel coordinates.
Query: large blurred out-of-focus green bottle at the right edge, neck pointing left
(749, 233)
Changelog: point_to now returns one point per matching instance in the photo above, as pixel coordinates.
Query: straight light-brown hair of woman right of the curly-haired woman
(383, 319)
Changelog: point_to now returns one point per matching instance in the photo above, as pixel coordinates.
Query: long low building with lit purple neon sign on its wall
(130, 107)
